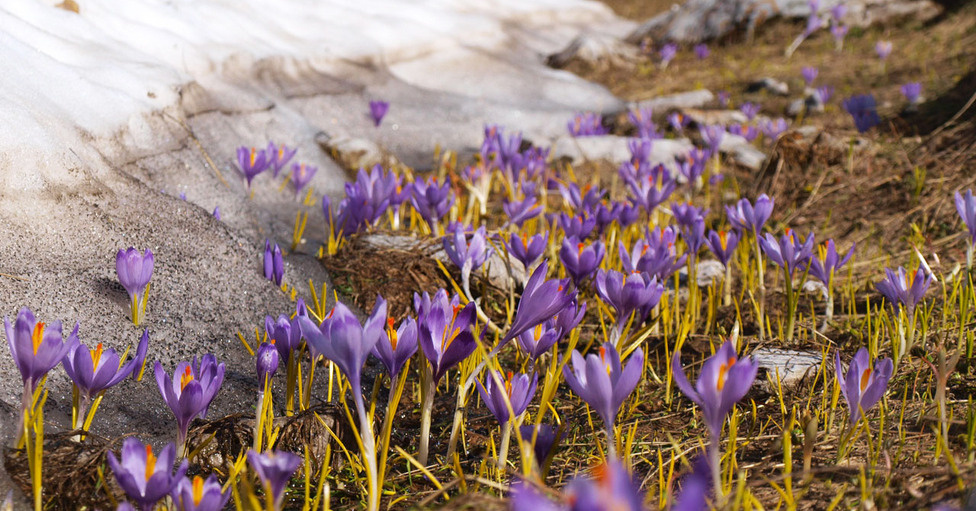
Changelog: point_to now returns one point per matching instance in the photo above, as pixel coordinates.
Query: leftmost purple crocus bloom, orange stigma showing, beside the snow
(35, 346)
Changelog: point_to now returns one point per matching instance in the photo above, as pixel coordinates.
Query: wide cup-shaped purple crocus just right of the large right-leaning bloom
(634, 292)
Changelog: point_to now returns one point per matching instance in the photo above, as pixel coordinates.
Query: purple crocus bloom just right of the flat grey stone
(863, 385)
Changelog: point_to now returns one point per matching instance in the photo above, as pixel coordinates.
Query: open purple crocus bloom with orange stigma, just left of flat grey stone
(723, 381)
